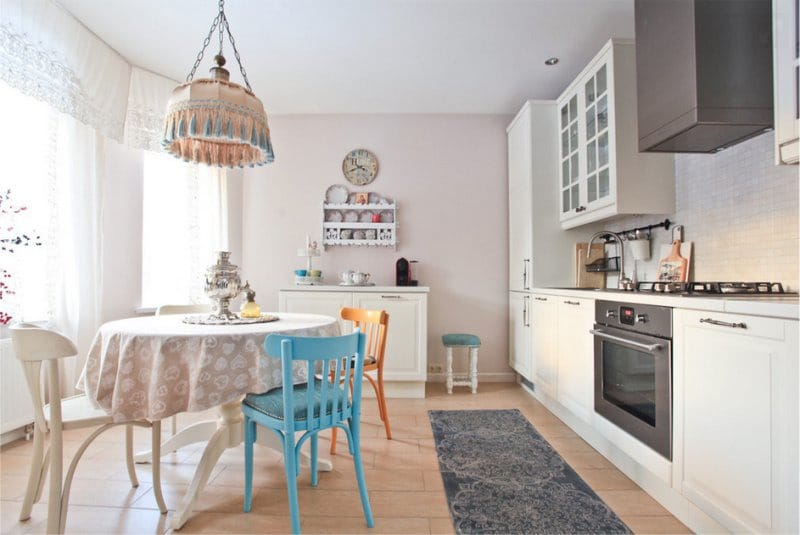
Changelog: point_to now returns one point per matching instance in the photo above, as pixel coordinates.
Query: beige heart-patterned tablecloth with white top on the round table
(154, 367)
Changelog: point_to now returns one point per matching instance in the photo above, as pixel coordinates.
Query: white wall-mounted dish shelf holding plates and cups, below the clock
(351, 224)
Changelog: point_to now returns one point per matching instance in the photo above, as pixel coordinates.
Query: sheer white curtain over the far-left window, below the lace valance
(53, 167)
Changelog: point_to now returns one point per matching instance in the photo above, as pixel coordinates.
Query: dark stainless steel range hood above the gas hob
(703, 73)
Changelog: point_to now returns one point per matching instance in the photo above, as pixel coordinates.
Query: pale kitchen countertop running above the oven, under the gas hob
(785, 306)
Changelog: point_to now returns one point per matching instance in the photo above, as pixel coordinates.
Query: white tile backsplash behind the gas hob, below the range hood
(740, 211)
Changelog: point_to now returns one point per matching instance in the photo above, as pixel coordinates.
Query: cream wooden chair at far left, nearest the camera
(34, 346)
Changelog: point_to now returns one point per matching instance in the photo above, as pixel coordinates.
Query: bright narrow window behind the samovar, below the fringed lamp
(183, 228)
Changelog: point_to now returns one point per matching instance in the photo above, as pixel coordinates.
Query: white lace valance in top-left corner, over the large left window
(46, 53)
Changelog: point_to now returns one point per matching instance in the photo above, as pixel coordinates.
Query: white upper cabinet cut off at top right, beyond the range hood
(786, 67)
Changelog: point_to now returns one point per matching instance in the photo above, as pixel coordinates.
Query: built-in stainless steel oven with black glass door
(633, 370)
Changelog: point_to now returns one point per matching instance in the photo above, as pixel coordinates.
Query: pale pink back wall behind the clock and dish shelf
(448, 176)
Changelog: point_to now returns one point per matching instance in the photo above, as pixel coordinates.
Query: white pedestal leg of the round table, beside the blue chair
(229, 434)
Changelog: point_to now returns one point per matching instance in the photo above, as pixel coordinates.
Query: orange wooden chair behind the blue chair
(374, 324)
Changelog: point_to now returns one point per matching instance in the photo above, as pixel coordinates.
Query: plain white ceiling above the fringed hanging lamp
(372, 56)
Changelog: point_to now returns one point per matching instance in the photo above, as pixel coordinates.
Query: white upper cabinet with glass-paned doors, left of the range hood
(602, 172)
